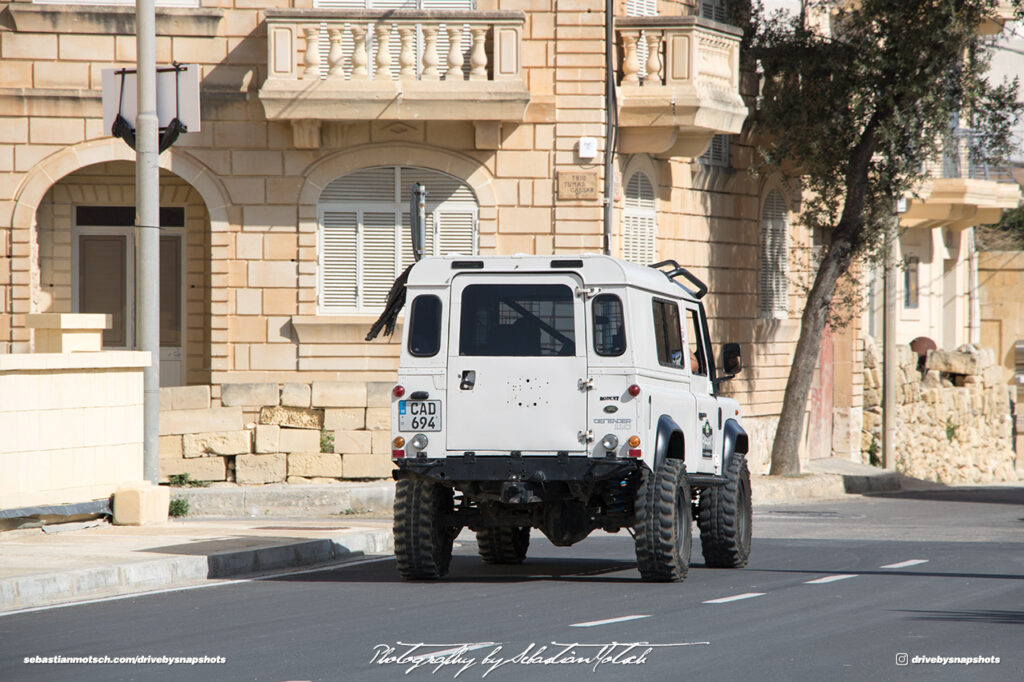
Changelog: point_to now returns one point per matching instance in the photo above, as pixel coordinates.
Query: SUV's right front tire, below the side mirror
(726, 519)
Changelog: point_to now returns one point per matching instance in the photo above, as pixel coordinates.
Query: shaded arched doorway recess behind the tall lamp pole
(87, 263)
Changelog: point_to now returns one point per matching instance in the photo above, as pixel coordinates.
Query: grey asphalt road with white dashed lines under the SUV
(834, 591)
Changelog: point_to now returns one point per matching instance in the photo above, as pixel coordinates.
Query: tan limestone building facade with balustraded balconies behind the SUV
(283, 217)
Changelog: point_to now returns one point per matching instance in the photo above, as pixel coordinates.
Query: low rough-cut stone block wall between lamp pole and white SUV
(273, 434)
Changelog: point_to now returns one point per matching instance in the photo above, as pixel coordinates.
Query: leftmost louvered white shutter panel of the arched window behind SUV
(338, 268)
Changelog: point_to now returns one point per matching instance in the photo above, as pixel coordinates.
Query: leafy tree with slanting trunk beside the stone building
(858, 110)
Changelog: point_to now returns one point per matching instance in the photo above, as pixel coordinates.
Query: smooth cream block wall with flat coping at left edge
(71, 425)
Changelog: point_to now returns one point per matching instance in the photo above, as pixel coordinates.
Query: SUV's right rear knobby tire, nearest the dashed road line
(664, 533)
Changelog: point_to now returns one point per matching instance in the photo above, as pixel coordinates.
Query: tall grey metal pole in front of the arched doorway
(148, 233)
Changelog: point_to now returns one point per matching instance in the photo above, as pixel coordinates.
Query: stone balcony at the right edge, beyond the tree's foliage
(962, 190)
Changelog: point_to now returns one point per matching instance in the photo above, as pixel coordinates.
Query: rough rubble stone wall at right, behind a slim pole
(953, 425)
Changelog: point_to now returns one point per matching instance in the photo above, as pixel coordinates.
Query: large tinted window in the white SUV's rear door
(532, 321)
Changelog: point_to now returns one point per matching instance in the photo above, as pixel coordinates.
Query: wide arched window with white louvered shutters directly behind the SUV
(365, 240)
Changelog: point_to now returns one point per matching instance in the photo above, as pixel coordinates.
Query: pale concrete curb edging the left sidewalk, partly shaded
(142, 577)
